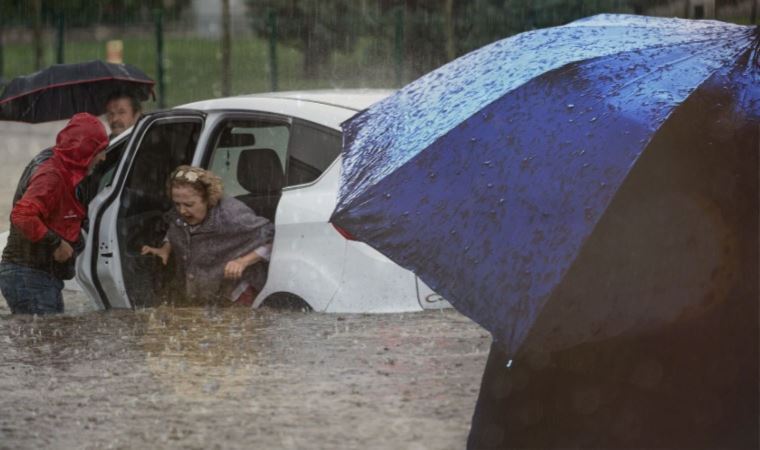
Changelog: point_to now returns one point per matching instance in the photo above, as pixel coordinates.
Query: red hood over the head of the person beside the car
(78, 143)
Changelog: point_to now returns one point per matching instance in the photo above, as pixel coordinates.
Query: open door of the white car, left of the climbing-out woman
(127, 212)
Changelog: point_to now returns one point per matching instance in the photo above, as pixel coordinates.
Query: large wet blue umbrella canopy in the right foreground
(571, 183)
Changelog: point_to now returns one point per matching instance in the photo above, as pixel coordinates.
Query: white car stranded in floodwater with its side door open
(280, 154)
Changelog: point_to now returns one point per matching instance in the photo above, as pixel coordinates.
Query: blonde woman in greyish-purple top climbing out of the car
(219, 247)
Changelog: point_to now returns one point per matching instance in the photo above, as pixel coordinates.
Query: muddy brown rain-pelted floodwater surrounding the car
(200, 378)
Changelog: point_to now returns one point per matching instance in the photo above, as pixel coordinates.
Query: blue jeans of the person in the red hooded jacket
(30, 291)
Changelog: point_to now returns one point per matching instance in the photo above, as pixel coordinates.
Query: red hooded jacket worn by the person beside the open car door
(50, 203)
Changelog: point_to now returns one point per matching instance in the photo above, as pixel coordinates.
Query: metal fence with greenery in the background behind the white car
(382, 48)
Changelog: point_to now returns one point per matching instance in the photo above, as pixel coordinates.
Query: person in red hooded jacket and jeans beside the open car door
(46, 219)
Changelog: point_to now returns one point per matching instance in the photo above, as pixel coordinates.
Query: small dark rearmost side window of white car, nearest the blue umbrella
(312, 149)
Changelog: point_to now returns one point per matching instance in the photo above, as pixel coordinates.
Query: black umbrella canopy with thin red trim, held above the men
(62, 90)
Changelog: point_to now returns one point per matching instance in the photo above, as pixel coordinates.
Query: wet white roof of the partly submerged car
(327, 107)
